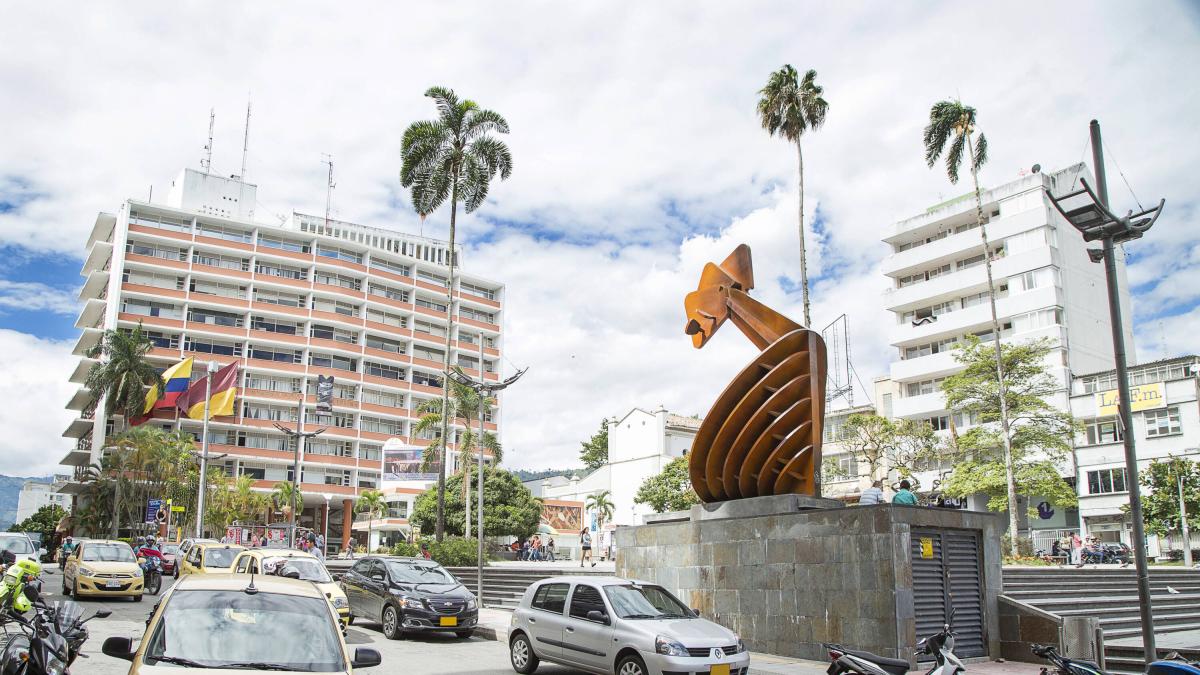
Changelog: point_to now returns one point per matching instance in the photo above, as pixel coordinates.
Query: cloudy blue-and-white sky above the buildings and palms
(638, 159)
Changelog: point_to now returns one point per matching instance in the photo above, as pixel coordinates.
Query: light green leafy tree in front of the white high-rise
(1039, 438)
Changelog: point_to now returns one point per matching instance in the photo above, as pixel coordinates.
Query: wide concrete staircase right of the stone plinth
(1112, 596)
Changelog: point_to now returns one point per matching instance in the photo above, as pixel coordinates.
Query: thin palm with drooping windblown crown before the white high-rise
(955, 124)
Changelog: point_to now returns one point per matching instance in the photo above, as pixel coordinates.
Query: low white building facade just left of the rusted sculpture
(640, 445)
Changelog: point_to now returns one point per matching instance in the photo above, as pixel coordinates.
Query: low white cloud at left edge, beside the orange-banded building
(34, 389)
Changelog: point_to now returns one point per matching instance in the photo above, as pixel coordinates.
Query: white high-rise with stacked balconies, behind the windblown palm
(1047, 288)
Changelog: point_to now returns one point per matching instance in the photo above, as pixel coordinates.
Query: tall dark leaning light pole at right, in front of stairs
(1096, 222)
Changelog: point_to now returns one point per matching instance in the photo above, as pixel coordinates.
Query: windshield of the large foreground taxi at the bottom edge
(232, 629)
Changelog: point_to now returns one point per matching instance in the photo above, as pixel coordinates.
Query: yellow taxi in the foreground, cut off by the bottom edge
(237, 624)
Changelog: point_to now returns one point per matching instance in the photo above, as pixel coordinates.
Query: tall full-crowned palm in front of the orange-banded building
(453, 157)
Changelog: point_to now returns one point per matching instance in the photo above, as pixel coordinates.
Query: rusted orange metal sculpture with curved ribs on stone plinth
(763, 437)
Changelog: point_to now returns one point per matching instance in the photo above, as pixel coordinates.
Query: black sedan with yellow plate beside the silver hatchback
(410, 595)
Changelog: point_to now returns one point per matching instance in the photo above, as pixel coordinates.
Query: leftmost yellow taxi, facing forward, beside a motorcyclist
(103, 569)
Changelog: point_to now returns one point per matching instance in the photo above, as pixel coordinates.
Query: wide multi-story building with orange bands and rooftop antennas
(287, 302)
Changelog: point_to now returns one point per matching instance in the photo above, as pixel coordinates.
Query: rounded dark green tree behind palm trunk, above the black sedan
(509, 509)
